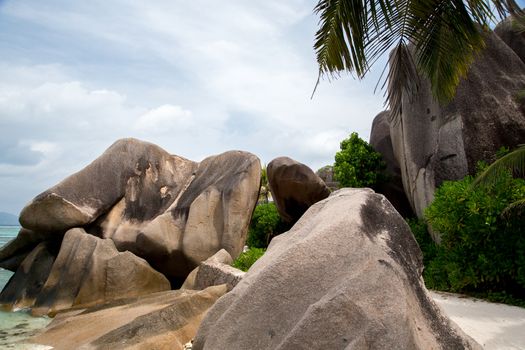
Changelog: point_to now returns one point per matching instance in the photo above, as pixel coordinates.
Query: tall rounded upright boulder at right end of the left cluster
(212, 213)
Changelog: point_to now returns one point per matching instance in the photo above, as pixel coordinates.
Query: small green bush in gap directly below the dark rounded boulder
(265, 224)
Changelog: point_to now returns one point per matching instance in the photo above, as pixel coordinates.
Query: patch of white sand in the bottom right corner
(494, 326)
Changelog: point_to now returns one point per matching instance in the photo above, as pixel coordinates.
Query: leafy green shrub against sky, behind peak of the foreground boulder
(357, 164)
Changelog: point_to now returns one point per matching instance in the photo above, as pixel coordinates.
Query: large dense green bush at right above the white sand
(481, 251)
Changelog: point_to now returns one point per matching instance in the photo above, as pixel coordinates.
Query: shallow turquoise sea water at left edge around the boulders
(16, 326)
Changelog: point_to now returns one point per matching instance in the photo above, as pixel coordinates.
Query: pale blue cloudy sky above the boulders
(195, 77)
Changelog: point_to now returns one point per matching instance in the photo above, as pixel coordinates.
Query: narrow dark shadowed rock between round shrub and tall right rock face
(381, 141)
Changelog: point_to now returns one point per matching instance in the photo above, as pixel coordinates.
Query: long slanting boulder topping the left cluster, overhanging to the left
(140, 178)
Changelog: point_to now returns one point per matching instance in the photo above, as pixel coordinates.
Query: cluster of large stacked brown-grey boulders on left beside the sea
(136, 220)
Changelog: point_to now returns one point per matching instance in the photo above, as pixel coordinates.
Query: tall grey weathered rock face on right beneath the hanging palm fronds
(434, 143)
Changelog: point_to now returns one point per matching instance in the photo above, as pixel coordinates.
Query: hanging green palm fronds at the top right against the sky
(446, 35)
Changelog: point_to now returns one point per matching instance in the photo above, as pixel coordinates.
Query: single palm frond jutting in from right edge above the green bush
(514, 162)
